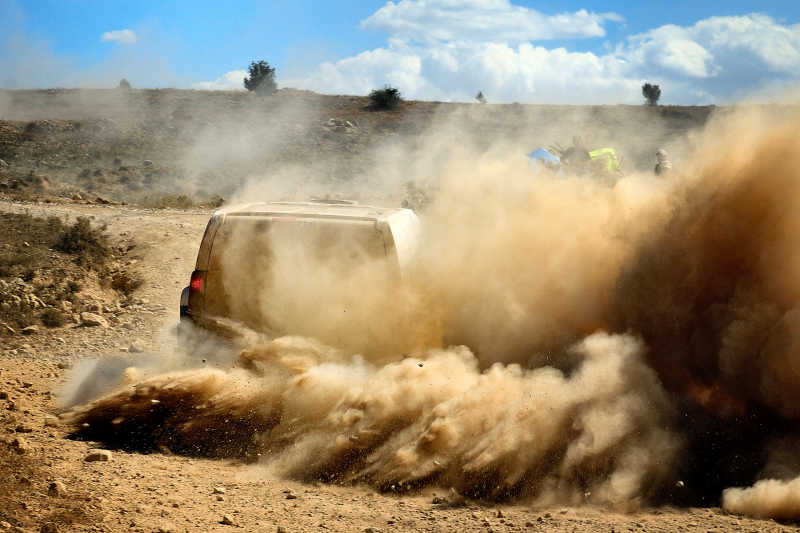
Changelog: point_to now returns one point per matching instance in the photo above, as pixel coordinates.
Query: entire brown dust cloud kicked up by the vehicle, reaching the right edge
(592, 338)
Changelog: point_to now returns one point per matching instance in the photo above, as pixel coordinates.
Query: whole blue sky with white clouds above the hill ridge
(512, 50)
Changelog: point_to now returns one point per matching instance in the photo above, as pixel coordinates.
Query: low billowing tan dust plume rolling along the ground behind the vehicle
(588, 435)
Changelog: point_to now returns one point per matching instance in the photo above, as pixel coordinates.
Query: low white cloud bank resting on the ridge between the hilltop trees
(524, 73)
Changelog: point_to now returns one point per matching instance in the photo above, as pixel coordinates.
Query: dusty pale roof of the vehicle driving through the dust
(321, 209)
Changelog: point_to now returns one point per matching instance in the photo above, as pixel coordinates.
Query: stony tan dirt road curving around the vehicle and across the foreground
(163, 492)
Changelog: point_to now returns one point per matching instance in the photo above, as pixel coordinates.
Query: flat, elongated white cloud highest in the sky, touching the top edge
(481, 20)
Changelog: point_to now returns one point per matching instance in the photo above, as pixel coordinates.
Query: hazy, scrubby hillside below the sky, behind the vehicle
(142, 145)
